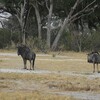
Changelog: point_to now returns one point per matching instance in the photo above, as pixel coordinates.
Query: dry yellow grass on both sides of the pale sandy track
(14, 86)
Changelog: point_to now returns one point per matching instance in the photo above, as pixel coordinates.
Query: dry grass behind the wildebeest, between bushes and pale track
(70, 61)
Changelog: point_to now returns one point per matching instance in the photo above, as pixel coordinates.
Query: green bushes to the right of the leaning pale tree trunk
(82, 42)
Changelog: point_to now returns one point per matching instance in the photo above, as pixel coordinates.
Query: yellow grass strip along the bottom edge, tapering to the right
(35, 95)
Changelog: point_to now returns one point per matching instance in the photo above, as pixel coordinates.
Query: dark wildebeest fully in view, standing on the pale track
(26, 54)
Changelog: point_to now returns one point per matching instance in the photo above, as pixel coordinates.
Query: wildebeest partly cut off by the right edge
(94, 58)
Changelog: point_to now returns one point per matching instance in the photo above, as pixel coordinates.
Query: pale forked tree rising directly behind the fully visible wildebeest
(20, 10)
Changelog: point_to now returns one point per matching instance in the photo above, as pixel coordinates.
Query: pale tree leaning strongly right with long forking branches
(89, 8)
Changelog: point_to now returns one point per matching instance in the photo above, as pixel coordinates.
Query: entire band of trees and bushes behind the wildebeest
(51, 24)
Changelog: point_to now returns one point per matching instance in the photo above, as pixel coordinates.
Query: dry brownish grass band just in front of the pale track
(52, 82)
